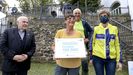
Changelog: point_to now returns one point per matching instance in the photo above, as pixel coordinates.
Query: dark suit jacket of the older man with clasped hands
(11, 45)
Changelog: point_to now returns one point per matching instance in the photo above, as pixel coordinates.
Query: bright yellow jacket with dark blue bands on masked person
(105, 42)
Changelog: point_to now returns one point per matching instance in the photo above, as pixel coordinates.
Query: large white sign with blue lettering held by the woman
(70, 48)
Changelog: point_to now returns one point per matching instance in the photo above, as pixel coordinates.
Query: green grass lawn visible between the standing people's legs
(48, 69)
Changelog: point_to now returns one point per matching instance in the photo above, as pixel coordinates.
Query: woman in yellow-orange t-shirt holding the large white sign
(68, 66)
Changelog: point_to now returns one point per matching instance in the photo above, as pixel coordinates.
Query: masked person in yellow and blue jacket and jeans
(105, 47)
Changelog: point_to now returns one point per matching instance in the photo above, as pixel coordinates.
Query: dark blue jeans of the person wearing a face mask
(100, 64)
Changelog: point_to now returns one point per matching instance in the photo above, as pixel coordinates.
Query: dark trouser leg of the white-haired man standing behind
(85, 66)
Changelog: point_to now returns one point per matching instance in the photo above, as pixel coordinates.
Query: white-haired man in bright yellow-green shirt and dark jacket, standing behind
(84, 27)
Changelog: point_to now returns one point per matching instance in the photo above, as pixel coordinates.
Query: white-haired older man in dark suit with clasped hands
(17, 46)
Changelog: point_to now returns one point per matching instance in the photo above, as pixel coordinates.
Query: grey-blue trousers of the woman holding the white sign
(66, 71)
